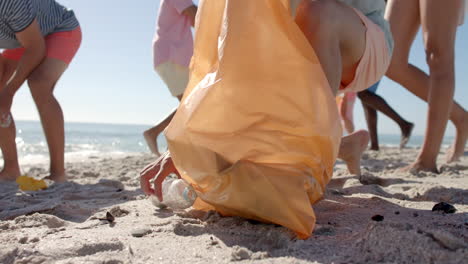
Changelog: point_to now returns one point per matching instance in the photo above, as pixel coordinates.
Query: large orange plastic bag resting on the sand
(257, 132)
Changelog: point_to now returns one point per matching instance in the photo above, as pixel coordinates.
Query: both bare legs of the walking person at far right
(439, 26)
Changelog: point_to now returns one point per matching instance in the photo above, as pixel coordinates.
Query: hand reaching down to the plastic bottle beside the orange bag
(160, 169)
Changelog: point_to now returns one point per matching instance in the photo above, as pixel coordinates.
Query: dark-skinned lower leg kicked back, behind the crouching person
(376, 102)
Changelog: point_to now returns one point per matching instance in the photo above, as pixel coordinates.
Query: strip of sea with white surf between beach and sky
(89, 139)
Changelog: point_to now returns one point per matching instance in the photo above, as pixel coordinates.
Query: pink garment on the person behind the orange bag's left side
(173, 41)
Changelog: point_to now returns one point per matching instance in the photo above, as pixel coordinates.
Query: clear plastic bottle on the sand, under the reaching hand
(177, 194)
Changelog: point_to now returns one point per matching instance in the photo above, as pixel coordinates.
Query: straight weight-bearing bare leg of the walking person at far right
(439, 23)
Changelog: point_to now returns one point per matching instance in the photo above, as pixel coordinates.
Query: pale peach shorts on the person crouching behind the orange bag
(375, 60)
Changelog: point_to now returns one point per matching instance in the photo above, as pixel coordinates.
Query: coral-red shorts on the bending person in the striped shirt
(61, 45)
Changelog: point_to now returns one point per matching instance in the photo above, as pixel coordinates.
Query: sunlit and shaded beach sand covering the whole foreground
(61, 224)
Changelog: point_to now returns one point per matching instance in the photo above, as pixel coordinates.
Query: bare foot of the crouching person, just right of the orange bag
(351, 149)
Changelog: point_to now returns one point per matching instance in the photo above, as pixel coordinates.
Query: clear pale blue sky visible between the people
(112, 78)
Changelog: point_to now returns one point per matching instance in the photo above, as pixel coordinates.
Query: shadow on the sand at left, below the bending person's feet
(69, 201)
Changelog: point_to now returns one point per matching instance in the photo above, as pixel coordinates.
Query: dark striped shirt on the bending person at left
(17, 15)
